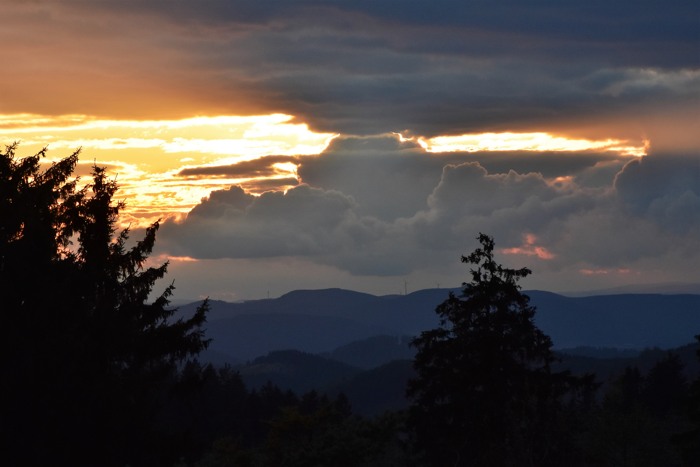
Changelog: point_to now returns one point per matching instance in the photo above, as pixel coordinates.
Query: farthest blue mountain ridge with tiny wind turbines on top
(318, 321)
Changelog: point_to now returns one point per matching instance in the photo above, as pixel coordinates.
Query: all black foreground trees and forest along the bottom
(93, 374)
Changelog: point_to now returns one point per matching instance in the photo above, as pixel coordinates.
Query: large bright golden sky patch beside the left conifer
(146, 156)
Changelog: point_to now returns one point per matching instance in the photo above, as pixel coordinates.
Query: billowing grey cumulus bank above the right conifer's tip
(592, 227)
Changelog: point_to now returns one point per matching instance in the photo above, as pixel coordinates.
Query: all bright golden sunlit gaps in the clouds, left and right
(146, 156)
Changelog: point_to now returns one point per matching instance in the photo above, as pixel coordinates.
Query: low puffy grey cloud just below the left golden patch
(304, 221)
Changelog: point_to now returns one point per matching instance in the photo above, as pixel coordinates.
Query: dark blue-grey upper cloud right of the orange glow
(368, 67)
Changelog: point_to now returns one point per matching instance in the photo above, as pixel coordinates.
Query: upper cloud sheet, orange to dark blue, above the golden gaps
(450, 67)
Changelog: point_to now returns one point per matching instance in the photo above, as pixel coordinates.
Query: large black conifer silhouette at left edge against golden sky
(86, 358)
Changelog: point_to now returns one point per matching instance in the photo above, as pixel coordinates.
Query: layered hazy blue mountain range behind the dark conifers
(336, 340)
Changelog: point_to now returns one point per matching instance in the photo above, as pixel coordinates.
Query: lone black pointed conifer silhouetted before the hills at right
(484, 394)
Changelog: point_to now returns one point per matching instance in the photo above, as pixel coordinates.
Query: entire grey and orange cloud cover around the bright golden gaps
(626, 69)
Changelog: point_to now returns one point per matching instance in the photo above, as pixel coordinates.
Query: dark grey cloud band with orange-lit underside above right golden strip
(510, 95)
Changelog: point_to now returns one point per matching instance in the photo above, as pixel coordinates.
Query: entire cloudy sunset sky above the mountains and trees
(365, 144)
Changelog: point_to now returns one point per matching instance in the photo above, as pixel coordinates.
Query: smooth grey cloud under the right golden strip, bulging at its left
(390, 179)
